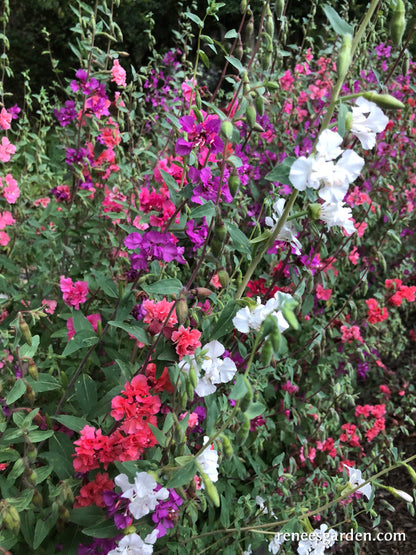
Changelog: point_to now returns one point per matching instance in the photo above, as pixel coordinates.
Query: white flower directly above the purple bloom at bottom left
(141, 494)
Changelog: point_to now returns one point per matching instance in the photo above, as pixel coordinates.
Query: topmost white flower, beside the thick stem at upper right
(367, 120)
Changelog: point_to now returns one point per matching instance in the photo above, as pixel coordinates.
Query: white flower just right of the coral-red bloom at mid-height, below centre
(216, 370)
